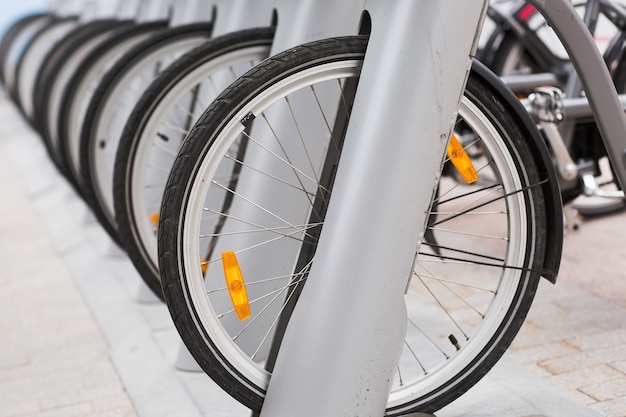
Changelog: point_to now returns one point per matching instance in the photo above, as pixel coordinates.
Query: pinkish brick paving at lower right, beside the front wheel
(575, 335)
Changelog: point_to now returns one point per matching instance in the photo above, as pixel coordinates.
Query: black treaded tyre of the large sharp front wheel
(197, 144)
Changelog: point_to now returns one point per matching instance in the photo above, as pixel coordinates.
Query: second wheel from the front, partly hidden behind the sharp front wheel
(155, 129)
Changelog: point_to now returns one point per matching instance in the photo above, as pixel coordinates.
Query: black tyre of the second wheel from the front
(135, 124)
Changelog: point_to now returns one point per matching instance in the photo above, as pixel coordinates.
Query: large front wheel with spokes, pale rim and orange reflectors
(245, 186)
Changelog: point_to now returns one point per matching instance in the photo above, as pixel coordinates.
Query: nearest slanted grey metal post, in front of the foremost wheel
(340, 359)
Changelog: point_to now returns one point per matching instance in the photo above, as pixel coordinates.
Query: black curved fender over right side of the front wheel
(550, 185)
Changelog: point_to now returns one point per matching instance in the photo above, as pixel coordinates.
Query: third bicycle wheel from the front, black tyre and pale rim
(112, 103)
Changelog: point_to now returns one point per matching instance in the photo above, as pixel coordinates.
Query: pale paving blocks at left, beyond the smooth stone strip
(54, 360)
